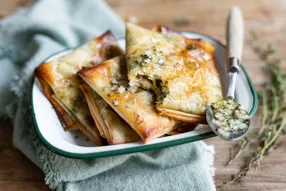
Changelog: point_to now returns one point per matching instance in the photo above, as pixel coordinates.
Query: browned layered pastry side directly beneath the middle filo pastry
(109, 123)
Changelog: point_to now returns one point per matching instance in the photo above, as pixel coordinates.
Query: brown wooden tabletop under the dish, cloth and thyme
(267, 18)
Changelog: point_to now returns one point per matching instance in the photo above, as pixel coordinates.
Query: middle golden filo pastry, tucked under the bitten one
(134, 105)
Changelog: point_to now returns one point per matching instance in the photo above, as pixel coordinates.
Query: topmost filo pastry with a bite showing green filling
(180, 71)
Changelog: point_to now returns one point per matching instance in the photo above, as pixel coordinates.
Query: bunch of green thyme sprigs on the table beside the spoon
(273, 123)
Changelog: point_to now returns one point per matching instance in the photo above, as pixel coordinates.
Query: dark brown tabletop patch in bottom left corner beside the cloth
(16, 171)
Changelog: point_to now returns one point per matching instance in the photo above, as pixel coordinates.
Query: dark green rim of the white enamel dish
(141, 148)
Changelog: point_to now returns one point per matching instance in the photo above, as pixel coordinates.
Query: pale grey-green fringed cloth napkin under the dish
(48, 26)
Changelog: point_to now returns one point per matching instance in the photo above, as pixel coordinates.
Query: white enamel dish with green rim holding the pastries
(73, 144)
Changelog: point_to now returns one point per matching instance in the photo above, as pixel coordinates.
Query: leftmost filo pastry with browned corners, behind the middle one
(60, 83)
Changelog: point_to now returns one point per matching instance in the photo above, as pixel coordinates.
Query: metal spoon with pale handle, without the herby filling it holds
(234, 47)
